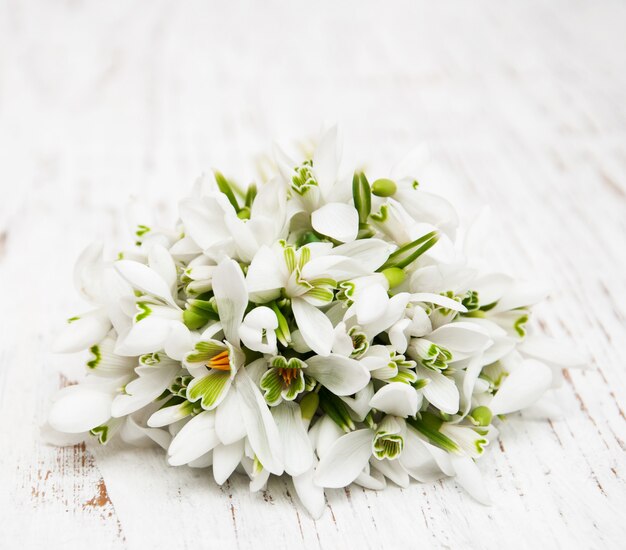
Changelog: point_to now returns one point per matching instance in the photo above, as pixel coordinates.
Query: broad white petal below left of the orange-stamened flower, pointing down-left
(196, 438)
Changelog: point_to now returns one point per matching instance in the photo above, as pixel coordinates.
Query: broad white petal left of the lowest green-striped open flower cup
(345, 459)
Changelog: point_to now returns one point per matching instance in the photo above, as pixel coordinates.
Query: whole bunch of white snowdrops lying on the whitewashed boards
(329, 330)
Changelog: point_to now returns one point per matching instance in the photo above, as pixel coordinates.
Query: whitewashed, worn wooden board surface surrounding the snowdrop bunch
(523, 105)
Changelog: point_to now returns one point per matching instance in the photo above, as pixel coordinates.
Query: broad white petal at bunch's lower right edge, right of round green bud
(522, 387)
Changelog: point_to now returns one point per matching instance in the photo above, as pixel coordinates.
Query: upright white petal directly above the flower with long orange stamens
(231, 296)
